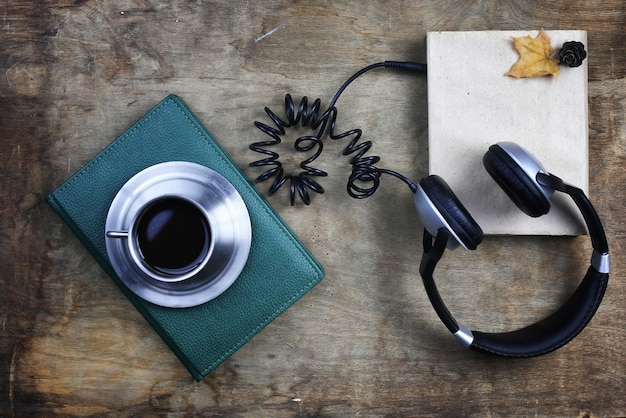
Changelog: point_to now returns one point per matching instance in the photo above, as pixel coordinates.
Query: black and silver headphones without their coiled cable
(447, 224)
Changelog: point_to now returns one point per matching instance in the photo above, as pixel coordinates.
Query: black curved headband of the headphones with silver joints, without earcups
(557, 329)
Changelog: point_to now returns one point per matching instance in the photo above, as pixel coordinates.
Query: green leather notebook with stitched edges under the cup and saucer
(279, 269)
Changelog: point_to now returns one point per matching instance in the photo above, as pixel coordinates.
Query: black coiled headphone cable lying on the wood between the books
(365, 177)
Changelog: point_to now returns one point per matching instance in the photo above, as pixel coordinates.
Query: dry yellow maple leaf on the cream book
(535, 57)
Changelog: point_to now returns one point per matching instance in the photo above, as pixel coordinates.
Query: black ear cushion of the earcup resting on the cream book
(522, 190)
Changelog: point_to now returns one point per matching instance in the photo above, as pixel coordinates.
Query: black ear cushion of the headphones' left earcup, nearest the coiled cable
(453, 211)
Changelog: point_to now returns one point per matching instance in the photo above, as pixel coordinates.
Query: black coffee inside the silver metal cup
(173, 236)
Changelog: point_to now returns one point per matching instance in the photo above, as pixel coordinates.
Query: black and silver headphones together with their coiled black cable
(447, 224)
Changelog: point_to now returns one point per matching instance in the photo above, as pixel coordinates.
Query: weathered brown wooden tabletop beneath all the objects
(364, 342)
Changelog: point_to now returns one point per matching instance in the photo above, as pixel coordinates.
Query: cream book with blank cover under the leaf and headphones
(473, 104)
